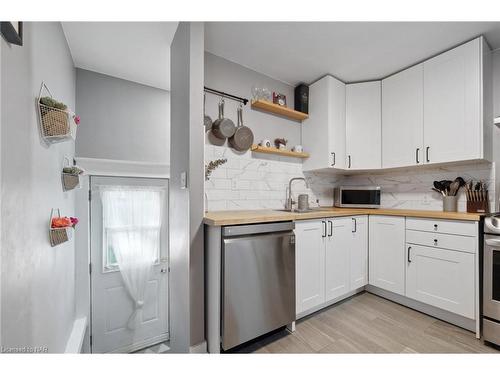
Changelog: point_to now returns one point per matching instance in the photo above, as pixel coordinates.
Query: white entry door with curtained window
(120, 322)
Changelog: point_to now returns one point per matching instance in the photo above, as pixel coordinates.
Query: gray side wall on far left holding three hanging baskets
(38, 287)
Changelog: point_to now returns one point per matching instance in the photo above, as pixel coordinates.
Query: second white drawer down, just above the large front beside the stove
(443, 241)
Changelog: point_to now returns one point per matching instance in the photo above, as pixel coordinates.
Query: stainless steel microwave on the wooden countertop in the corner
(357, 196)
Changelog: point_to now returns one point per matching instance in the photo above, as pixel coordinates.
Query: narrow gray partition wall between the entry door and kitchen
(186, 204)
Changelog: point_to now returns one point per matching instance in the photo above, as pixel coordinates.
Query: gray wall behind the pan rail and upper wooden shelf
(224, 75)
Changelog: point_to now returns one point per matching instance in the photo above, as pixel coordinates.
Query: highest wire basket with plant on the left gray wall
(56, 125)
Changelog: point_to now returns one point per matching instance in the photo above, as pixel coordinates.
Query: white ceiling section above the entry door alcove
(135, 51)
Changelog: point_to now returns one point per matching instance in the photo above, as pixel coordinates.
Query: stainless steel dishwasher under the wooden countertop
(258, 280)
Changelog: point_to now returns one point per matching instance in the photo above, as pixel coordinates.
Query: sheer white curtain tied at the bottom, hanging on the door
(131, 228)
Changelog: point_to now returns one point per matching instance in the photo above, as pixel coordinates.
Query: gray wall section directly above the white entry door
(121, 120)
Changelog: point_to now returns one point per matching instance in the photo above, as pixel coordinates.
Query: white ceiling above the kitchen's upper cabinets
(351, 51)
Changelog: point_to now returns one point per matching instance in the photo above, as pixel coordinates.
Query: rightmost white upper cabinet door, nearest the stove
(452, 104)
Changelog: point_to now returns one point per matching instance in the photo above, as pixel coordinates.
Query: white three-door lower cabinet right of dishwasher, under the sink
(331, 259)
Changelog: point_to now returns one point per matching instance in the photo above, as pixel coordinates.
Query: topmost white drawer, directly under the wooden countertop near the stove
(463, 228)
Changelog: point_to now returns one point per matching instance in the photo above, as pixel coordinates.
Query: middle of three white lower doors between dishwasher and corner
(338, 243)
